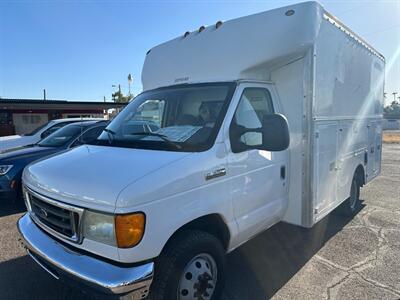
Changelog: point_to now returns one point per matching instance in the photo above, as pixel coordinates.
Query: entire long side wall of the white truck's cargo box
(347, 110)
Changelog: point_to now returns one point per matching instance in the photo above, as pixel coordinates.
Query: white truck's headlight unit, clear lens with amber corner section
(124, 231)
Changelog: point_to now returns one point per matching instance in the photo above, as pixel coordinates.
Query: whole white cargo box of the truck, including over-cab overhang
(323, 72)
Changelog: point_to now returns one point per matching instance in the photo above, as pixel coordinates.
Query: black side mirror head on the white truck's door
(275, 133)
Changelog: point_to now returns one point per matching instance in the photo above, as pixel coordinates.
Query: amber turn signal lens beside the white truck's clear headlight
(129, 229)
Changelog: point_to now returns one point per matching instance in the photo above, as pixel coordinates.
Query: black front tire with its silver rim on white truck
(192, 266)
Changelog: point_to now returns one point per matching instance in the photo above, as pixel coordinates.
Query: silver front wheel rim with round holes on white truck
(199, 278)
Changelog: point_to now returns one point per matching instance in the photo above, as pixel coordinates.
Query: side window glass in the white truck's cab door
(254, 105)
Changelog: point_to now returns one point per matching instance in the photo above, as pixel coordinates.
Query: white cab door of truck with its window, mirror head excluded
(258, 184)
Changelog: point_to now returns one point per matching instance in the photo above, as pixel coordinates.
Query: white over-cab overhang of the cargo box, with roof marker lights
(244, 48)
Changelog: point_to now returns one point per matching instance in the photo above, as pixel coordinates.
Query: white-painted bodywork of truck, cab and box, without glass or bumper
(326, 81)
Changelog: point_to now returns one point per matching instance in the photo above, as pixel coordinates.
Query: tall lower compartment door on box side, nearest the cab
(325, 167)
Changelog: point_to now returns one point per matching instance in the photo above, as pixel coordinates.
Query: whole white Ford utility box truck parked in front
(242, 124)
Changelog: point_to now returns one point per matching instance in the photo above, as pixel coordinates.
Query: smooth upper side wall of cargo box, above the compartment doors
(349, 77)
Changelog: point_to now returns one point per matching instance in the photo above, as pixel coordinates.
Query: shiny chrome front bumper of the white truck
(65, 264)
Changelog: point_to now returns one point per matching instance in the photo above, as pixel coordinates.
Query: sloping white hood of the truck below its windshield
(93, 176)
